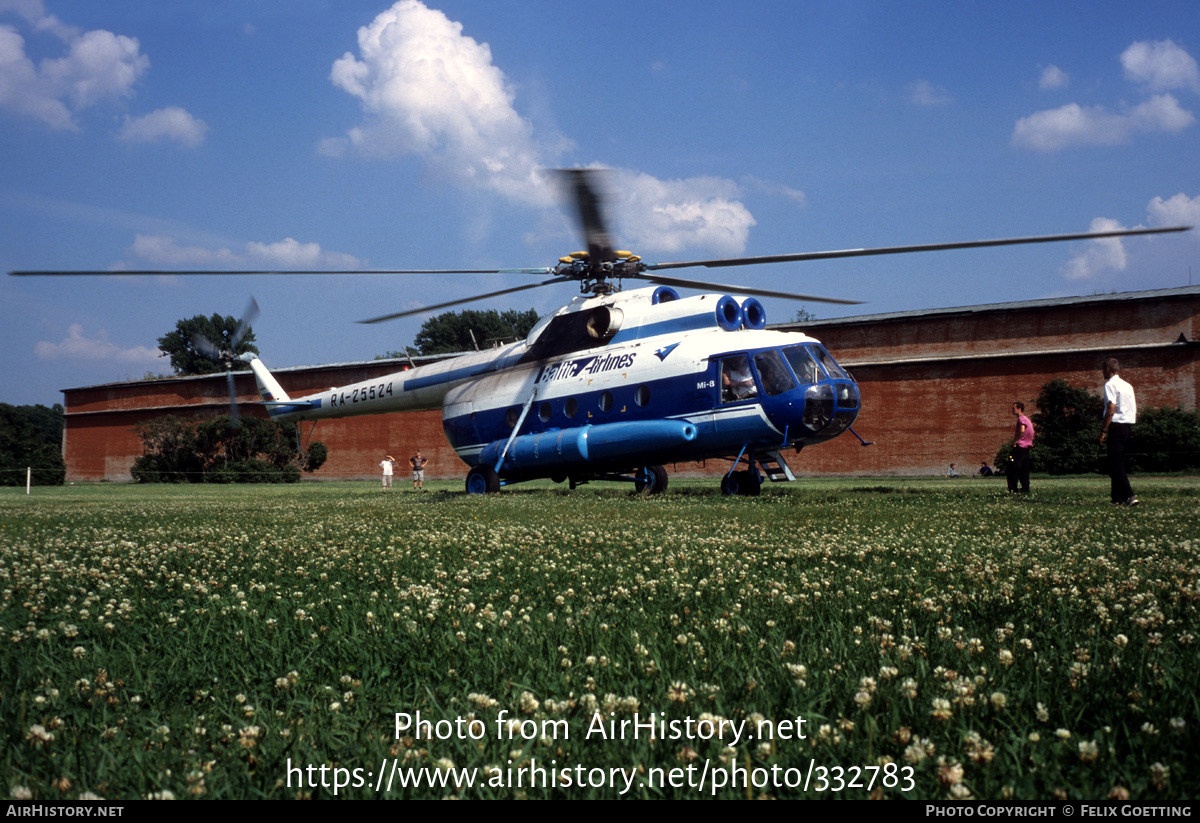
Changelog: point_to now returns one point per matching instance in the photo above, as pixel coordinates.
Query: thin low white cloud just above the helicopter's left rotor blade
(285, 255)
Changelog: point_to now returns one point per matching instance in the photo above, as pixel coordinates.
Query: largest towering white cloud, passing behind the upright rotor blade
(431, 92)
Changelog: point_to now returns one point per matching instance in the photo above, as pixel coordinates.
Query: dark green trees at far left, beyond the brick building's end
(32, 438)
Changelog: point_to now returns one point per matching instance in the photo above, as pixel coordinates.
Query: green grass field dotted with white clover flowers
(921, 639)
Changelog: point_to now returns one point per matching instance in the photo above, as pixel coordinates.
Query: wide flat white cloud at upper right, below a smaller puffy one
(1075, 125)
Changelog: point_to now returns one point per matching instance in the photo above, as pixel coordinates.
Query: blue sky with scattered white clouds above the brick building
(218, 135)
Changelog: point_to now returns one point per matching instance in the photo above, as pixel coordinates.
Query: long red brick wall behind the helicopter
(935, 388)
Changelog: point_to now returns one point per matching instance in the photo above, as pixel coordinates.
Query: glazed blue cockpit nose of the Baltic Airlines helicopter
(788, 380)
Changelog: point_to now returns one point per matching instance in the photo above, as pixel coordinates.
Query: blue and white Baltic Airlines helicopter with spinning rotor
(619, 383)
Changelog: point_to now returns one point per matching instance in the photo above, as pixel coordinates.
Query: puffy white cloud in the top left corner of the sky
(99, 67)
